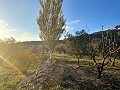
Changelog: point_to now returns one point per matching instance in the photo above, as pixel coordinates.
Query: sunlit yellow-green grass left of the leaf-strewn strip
(10, 77)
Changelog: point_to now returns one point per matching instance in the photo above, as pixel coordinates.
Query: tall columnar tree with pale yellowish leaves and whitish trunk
(51, 23)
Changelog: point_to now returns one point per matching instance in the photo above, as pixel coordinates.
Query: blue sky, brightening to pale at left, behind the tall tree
(18, 17)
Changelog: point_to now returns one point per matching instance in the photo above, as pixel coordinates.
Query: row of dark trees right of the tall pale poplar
(104, 46)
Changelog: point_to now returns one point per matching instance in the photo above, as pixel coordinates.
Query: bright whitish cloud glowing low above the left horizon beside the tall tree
(6, 32)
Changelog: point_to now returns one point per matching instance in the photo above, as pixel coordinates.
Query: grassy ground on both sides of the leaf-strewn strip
(71, 76)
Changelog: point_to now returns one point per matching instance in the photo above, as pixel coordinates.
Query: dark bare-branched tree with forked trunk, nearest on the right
(105, 47)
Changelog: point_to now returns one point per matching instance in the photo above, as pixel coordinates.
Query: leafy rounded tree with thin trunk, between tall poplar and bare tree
(76, 45)
